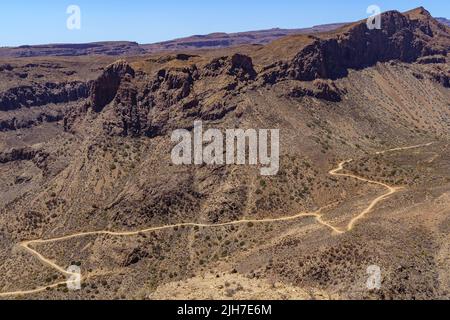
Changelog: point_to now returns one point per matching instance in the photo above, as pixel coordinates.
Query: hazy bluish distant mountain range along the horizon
(210, 41)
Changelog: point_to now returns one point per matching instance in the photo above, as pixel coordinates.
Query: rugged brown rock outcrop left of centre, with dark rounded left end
(151, 106)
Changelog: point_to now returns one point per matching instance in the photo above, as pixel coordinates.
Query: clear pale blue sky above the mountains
(147, 21)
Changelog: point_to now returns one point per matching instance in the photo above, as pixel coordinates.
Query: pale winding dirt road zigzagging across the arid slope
(317, 215)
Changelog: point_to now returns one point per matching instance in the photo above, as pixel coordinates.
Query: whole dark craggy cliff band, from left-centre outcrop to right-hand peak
(151, 105)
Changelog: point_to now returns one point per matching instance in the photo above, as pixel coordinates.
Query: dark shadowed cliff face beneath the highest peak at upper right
(401, 38)
